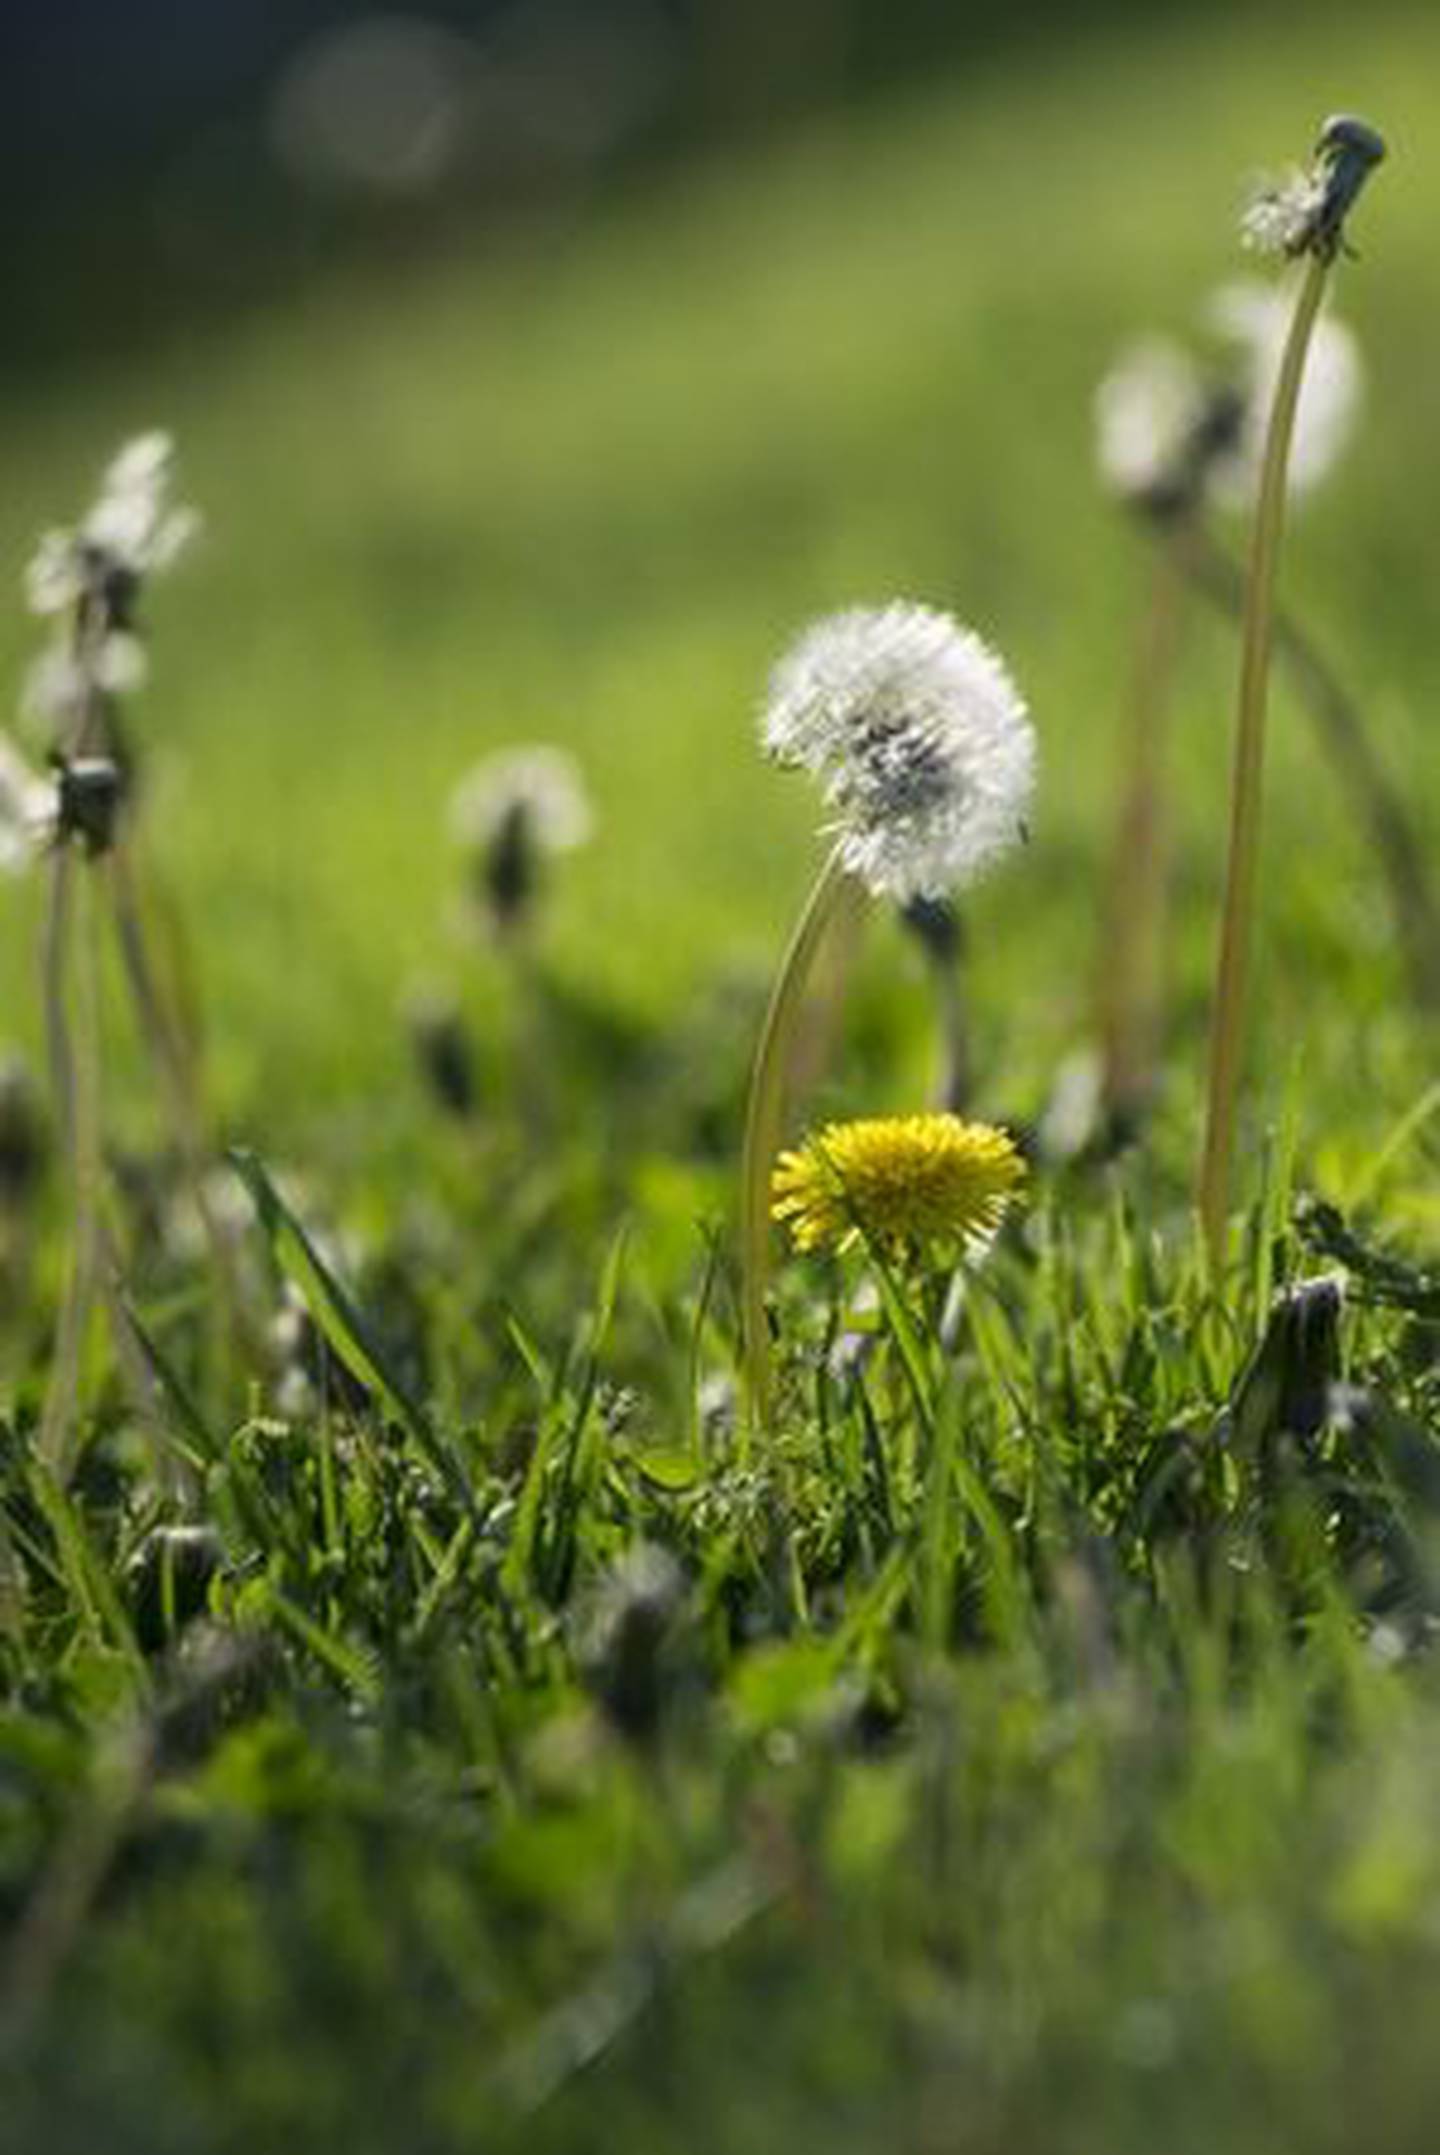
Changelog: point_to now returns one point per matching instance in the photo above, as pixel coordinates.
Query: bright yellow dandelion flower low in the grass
(900, 1182)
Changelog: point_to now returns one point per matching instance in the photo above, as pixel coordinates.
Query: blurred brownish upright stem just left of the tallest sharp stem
(1137, 885)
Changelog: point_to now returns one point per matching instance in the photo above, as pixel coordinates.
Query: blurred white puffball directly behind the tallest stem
(1256, 320)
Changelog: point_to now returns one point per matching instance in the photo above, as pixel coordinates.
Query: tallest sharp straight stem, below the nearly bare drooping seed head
(1247, 775)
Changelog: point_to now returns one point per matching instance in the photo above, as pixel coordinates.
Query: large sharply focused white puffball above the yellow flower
(919, 738)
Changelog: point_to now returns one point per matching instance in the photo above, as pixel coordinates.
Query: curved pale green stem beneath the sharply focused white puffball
(764, 1126)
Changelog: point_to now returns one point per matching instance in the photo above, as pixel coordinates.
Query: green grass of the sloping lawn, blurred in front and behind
(1077, 1785)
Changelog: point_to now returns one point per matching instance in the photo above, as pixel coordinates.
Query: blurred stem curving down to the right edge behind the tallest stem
(1342, 734)
